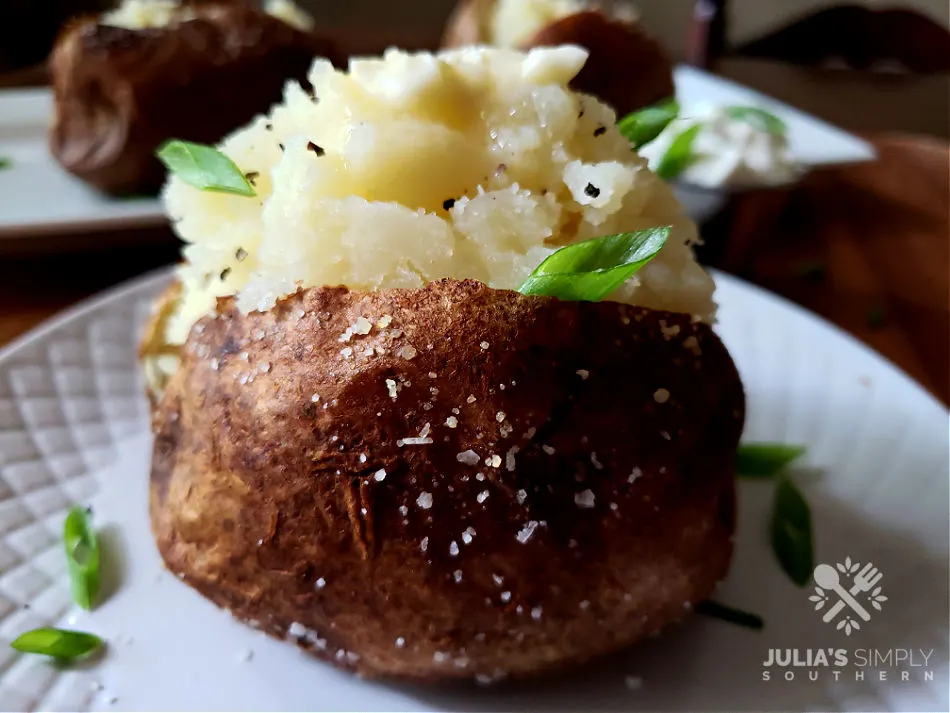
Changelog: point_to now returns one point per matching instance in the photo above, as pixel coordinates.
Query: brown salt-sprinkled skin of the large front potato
(262, 500)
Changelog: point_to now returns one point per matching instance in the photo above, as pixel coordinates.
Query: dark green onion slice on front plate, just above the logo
(791, 532)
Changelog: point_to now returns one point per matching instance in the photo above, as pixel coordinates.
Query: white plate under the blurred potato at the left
(37, 196)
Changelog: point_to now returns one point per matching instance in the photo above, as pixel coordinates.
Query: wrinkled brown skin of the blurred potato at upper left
(120, 93)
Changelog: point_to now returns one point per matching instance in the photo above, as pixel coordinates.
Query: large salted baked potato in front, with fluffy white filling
(369, 443)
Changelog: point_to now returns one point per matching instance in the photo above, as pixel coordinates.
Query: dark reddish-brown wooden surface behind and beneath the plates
(866, 246)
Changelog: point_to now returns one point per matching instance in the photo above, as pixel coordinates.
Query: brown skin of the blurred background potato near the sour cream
(626, 68)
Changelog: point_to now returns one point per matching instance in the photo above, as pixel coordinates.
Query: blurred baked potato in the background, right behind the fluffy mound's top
(627, 68)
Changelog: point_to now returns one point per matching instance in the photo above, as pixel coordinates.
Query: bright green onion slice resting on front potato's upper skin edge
(592, 269)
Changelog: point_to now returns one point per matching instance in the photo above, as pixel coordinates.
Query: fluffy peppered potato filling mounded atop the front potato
(471, 163)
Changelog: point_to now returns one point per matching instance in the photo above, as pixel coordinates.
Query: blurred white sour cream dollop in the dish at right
(728, 151)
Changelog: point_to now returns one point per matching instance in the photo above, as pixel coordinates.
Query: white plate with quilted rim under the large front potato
(73, 428)
